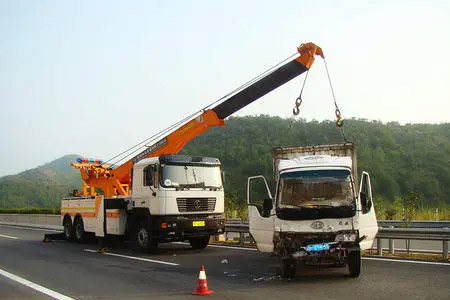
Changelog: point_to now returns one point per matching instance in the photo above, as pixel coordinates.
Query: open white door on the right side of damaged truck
(368, 227)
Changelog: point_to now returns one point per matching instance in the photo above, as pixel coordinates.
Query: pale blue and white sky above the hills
(96, 77)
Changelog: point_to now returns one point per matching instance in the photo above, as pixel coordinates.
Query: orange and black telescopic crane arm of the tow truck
(118, 181)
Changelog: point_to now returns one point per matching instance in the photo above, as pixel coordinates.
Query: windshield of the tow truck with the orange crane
(191, 176)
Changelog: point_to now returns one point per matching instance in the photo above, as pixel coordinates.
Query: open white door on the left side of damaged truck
(260, 213)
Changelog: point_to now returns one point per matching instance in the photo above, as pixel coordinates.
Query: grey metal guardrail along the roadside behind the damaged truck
(431, 233)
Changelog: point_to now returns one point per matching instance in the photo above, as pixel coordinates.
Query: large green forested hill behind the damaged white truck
(399, 158)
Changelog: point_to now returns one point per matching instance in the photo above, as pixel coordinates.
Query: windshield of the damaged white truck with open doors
(315, 189)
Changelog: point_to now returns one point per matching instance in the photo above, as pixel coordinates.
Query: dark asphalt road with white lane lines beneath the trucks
(72, 270)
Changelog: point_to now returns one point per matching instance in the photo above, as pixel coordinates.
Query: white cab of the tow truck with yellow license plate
(181, 196)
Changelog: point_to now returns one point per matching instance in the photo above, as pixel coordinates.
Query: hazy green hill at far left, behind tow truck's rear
(43, 186)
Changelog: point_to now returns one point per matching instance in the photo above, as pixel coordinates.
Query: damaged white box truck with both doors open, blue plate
(317, 216)
